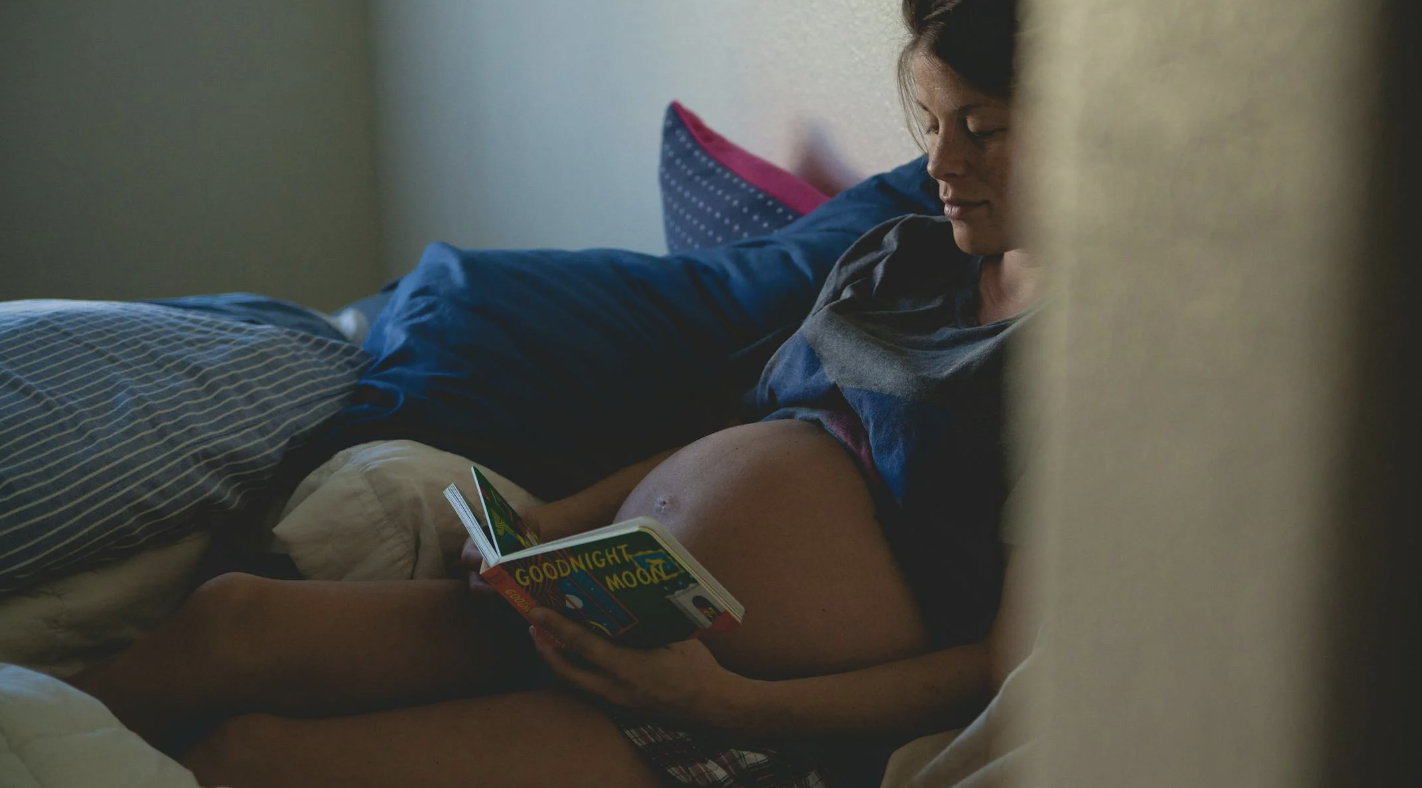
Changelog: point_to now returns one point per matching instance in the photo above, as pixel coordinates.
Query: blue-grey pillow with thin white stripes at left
(124, 425)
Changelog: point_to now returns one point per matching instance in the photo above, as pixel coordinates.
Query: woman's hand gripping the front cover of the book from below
(682, 682)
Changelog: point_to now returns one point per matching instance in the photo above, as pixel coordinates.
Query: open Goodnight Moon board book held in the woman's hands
(631, 581)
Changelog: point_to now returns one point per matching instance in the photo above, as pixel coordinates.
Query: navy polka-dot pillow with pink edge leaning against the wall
(716, 193)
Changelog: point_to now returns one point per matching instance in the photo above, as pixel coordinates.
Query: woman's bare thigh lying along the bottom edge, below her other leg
(534, 739)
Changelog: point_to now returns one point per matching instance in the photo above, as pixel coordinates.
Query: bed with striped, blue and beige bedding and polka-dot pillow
(149, 446)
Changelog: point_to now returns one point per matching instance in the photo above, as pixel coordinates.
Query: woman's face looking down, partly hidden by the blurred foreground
(969, 156)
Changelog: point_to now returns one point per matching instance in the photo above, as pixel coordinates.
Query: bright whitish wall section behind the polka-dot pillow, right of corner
(538, 123)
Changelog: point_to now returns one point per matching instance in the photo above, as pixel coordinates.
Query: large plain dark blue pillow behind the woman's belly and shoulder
(561, 368)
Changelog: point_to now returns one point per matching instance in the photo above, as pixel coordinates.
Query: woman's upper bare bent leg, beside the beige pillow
(305, 649)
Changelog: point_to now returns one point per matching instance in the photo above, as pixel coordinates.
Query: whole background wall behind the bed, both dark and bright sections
(159, 149)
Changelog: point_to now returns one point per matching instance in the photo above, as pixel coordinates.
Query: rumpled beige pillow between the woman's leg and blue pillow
(378, 513)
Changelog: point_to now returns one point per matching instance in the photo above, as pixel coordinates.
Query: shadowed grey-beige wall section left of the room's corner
(167, 147)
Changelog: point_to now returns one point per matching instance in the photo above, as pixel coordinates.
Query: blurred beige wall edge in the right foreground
(1229, 491)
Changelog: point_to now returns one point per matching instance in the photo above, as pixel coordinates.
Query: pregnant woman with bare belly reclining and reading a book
(855, 516)
